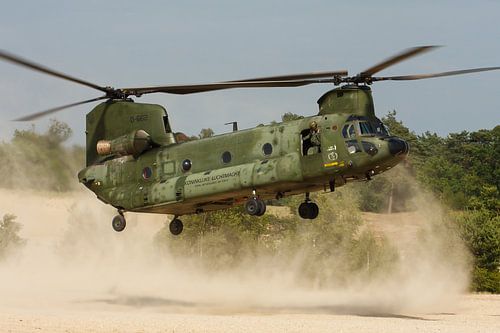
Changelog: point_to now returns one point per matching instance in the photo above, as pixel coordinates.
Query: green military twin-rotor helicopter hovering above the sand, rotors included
(136, 163)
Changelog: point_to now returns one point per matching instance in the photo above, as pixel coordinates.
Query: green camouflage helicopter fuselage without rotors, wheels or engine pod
(274, 160)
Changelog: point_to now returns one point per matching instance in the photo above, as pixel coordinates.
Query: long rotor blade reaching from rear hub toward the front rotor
(197, 88)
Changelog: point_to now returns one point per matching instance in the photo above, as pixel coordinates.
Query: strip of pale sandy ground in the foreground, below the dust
(479, 313)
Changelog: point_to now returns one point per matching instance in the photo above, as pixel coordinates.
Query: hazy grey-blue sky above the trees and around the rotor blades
(144, 43)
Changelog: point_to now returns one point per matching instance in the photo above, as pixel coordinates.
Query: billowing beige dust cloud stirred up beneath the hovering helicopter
(74, 259)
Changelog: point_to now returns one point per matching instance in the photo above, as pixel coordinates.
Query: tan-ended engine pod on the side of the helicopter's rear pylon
(134, 143)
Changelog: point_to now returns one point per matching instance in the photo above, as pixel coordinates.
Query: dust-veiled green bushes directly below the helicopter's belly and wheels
(326, 250)
